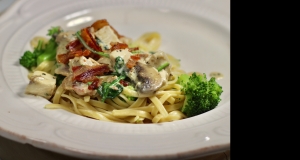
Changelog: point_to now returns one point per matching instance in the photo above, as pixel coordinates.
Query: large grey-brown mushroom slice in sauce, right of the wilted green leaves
(146, 78)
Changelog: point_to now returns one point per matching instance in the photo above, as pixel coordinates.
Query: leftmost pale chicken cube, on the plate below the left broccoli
(41, 84)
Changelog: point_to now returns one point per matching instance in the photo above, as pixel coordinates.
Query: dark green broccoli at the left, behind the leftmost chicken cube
(32, 59)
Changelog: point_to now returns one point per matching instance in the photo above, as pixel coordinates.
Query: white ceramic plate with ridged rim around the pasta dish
(197, 32)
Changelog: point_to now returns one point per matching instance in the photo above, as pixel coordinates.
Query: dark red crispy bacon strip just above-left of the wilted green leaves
(88, 73)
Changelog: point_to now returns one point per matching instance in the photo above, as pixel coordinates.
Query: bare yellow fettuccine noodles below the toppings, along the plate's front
(163, 106)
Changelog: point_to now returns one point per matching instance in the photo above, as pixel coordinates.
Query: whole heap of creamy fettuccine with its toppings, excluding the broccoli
(89, 80)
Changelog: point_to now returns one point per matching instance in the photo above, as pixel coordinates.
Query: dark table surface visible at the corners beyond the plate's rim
(11, 150)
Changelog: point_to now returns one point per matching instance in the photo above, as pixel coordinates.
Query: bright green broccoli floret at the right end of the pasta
(201, 95)
